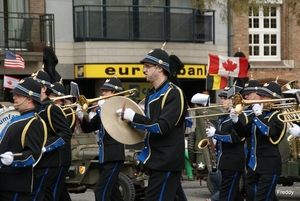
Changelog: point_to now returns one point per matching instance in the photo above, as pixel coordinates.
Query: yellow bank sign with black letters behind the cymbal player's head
(190, 71)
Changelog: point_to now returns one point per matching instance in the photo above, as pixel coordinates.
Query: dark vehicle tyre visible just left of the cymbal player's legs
(126, 187)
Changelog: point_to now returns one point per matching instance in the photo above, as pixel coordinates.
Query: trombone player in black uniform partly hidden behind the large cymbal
(111, 152)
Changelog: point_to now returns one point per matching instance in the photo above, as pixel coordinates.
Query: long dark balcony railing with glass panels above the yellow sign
(141, 23)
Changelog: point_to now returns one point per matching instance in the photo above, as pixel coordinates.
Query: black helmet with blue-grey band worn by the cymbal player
(158, 57)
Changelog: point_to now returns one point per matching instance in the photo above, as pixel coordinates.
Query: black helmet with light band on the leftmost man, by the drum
(28, 87)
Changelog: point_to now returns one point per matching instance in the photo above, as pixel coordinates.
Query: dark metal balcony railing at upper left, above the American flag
(26, 31)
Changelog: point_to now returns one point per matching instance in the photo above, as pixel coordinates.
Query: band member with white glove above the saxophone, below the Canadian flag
(230, 155)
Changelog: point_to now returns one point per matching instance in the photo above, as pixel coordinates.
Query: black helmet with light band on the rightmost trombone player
(270, 89)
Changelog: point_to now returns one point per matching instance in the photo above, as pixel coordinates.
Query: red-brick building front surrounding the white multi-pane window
(269, 38)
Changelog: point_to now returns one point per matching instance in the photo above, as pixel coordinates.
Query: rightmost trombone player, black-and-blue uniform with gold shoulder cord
(266, 131)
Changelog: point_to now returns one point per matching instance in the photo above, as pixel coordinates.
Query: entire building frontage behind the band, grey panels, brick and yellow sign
(98, 39)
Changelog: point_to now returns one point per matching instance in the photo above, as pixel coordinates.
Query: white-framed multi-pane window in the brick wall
(264, 34)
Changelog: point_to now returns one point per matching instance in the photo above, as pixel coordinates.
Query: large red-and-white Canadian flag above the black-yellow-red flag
(227, 66)
